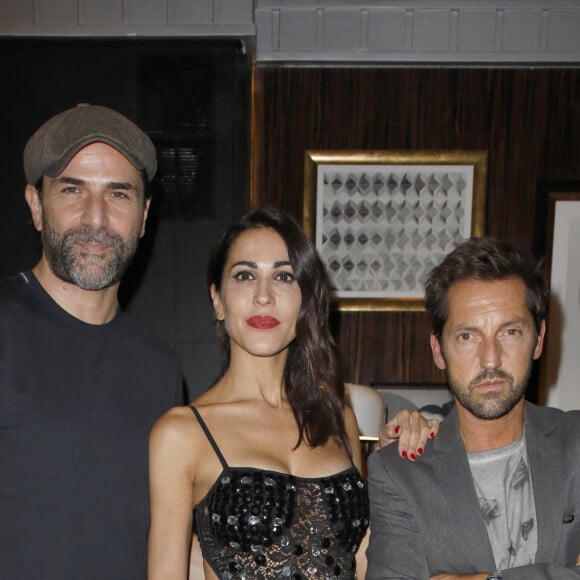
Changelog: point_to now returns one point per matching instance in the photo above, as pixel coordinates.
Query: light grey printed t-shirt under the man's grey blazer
(504, 488)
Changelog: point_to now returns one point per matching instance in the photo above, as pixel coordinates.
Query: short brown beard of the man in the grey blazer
(493, 404)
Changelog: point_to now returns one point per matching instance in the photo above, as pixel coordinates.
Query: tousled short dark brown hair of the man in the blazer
(485, 259)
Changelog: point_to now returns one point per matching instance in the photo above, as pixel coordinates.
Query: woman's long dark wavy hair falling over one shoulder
(313, 375)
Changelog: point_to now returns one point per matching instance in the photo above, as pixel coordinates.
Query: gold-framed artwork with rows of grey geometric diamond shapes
(381, 220)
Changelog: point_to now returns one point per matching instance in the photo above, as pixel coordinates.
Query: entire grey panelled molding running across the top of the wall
(334, 31)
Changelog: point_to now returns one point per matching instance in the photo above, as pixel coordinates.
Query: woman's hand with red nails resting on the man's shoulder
(411, 430)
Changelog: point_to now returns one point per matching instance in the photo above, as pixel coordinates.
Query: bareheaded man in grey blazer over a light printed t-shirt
(497, 492)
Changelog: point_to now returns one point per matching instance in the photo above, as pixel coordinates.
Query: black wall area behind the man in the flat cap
(192, 98)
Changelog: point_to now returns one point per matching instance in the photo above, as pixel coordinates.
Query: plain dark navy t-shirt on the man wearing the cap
(77, 402)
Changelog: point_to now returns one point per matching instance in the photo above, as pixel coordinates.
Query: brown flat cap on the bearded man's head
(52, 146)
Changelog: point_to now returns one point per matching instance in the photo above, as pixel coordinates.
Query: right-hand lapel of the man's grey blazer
(545, 458)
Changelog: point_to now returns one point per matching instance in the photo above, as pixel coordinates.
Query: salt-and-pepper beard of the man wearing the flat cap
(98, 272)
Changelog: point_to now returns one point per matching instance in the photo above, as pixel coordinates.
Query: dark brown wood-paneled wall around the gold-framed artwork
(527, 119)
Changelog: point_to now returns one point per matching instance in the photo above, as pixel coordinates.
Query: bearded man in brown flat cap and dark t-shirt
(80, 383)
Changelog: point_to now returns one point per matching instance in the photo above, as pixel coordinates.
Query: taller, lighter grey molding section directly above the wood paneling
(423, 31)
